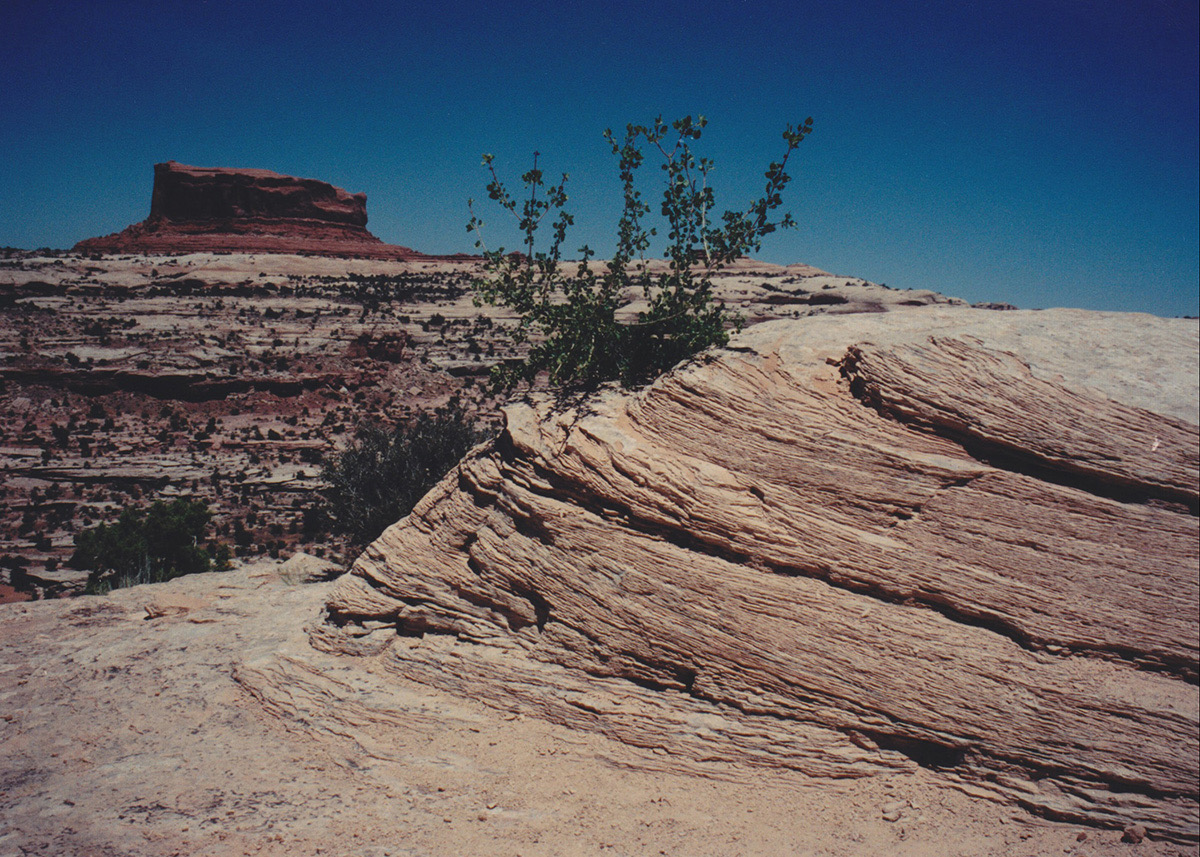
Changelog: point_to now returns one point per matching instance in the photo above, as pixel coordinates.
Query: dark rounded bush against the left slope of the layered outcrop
(383, 474)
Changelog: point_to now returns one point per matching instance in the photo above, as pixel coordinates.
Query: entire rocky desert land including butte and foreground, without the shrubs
(889, 574)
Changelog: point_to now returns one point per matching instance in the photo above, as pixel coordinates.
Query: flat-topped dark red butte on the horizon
(213, 209)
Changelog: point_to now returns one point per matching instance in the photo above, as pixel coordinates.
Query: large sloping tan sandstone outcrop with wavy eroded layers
(950, 542)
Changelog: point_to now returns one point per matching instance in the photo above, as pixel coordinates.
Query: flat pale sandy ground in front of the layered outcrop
(194, 717)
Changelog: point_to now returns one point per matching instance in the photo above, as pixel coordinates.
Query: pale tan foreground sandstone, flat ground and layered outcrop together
(914, 584)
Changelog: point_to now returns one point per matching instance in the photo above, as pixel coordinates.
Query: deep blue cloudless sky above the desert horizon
(1043, 154)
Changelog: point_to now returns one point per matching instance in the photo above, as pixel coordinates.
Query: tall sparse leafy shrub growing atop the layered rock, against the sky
(568, 311)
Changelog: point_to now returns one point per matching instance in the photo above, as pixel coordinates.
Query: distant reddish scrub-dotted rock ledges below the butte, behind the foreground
(232, 377)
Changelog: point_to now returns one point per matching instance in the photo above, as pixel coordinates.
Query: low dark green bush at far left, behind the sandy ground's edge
(149, 547)
